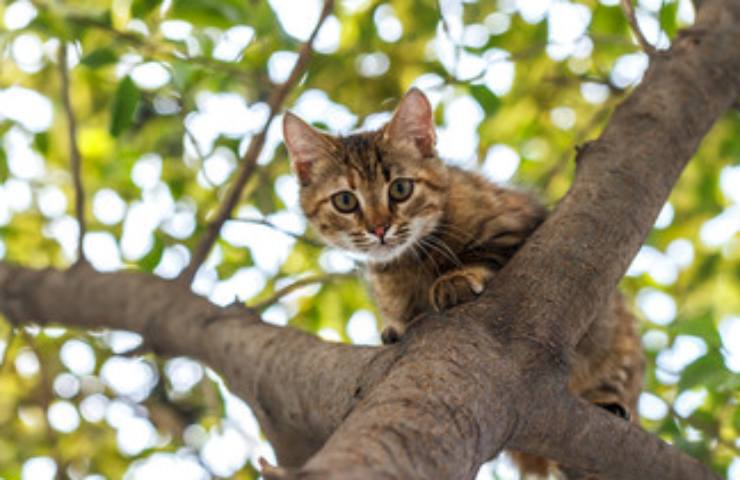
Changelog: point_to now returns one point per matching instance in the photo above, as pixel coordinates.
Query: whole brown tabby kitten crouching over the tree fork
(434, 236)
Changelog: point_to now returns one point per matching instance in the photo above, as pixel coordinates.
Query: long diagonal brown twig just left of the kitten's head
(249, 160)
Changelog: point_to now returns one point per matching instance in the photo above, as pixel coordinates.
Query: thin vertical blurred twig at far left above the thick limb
(74, 152)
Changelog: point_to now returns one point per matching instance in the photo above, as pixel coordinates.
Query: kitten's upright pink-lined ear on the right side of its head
(413, 121)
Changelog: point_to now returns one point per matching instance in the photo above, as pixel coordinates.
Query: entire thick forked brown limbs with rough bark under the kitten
(487, 375)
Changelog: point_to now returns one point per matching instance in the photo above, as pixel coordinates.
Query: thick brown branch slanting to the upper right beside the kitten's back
(571, 265)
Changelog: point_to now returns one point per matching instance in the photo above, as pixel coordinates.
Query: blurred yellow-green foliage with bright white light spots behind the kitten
(131, 127)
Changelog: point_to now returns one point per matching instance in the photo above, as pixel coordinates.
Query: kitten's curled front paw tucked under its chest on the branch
(458, 286)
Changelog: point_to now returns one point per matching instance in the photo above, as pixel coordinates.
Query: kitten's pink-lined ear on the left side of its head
(305, 145)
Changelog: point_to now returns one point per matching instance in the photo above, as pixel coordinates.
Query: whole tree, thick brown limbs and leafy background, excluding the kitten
(139, 94)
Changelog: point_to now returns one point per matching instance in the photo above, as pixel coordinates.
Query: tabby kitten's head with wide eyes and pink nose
(374, 194)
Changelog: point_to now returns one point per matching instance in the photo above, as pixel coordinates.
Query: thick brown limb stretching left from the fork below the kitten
(281, 372)
